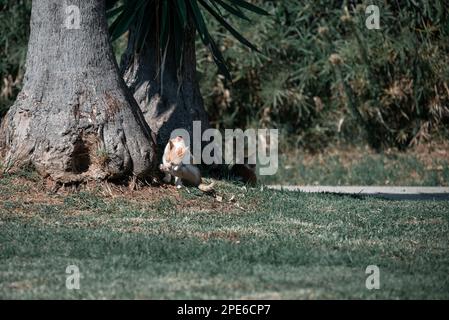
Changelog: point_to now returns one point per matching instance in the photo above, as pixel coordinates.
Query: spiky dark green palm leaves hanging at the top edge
(172, 19)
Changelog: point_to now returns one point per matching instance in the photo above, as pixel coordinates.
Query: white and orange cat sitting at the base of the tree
(177, 162)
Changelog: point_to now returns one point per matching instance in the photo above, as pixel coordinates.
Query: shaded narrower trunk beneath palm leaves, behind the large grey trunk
(167, 99)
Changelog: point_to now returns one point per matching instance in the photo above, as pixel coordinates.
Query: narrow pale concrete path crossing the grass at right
(394, 193)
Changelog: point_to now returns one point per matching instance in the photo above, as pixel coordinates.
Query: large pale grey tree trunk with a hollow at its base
(74, 119)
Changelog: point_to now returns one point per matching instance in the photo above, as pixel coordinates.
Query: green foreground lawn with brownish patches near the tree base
(160, 243)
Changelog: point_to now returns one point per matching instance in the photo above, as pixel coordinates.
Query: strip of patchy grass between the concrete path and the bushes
(426, 165)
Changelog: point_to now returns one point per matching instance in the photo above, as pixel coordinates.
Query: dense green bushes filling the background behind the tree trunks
(388, 87)
